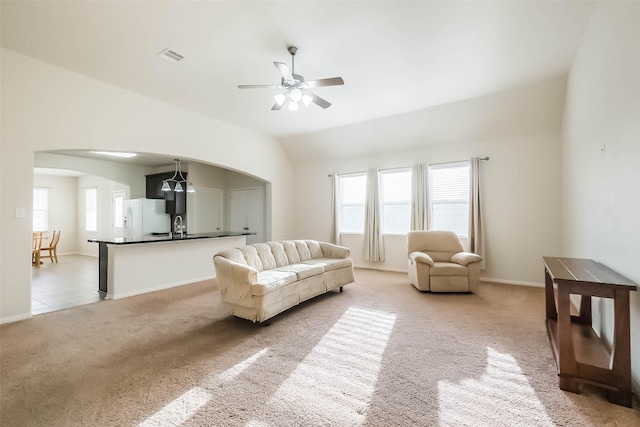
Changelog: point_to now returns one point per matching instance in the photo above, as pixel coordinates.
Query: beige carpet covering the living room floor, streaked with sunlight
(379, 354)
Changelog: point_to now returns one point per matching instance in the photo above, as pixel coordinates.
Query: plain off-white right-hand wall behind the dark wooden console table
(601, 156)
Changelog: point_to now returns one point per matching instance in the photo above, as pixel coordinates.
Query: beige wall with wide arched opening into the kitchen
(44, 108)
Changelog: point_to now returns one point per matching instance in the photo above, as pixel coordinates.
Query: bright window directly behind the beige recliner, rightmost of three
(449, 197)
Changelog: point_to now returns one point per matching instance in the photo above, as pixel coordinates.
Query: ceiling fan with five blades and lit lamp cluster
(295, 88)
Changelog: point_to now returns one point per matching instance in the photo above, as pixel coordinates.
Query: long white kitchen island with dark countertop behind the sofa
(130, 267)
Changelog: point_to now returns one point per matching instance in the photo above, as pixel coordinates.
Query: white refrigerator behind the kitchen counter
(144, 217)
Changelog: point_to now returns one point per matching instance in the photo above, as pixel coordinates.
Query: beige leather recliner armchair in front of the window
(438, 263)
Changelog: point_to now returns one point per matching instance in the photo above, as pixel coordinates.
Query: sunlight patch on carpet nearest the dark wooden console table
(502, 392)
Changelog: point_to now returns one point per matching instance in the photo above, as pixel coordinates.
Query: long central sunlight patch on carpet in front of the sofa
(336, 381)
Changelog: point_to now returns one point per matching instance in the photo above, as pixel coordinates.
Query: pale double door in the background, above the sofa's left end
(247, 212)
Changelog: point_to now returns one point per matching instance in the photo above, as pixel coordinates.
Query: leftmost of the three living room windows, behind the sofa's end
(351, 195)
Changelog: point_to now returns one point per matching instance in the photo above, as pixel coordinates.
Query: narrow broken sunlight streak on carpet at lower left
(184, 407)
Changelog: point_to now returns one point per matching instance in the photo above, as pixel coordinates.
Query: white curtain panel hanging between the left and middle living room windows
(374, 246)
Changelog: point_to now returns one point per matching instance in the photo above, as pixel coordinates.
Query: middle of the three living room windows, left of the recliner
(395, 194)
